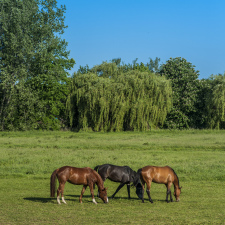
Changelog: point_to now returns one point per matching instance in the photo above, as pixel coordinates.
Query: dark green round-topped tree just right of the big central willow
(185, 85)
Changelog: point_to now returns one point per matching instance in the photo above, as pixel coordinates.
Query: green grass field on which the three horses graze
(27, 160)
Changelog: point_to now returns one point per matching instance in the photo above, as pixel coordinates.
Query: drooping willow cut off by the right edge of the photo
(215, 102)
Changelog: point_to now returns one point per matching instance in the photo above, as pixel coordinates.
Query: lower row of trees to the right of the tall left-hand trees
(138, 96)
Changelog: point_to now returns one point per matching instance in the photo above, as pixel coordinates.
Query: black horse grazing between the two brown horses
(123, 175)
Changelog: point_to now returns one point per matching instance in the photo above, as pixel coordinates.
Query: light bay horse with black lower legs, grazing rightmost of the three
(161, 175)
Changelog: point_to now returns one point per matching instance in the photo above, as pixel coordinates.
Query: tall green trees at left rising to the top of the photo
(34, 64)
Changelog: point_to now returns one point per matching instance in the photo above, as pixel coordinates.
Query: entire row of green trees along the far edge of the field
(36, 91)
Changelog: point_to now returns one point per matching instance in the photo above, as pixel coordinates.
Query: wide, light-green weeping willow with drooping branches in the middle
(131, 101)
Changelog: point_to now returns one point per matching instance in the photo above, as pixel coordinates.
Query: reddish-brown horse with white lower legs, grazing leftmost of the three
(80, 176)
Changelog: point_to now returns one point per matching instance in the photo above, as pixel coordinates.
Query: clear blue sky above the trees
(101, 30)
